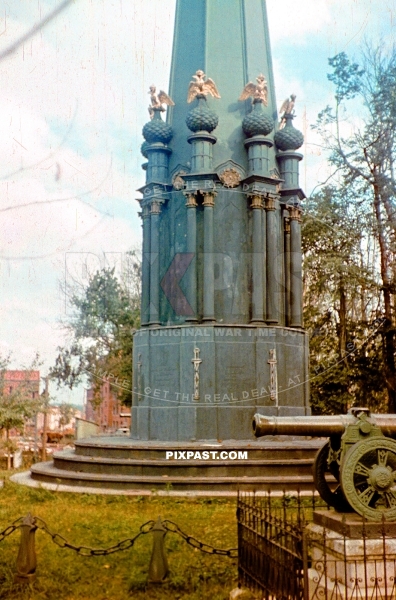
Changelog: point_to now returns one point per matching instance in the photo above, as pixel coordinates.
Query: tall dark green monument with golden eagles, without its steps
(222, 333)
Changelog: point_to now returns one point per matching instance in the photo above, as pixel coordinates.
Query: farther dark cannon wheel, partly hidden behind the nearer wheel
(320, 468)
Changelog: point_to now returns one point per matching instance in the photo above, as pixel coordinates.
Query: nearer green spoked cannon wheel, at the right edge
(368, 478)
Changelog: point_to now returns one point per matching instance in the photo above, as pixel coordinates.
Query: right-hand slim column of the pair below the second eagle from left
(208, 271)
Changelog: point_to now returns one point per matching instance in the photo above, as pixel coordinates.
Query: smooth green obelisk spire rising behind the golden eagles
(229, 40)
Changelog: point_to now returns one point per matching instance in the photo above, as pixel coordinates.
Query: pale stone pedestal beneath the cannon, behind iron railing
(350, 558)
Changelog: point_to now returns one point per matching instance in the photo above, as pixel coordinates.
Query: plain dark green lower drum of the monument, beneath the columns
(205, 382)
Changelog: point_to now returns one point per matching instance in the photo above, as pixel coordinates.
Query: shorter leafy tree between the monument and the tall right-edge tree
(340, 303)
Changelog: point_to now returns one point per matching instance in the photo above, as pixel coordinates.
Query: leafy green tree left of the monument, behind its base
(105, 317)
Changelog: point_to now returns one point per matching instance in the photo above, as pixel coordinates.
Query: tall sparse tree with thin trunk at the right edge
(360, 134)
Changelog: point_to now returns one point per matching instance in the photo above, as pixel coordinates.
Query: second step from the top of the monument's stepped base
(69, 461)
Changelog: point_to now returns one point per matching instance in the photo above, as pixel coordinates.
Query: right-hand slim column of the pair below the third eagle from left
(272, 274)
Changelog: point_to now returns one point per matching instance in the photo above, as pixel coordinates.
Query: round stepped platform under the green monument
(215, 468)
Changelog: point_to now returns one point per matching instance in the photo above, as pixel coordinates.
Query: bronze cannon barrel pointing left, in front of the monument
(317, 426)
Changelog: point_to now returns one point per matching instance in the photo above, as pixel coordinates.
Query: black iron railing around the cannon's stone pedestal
(286, 554)
